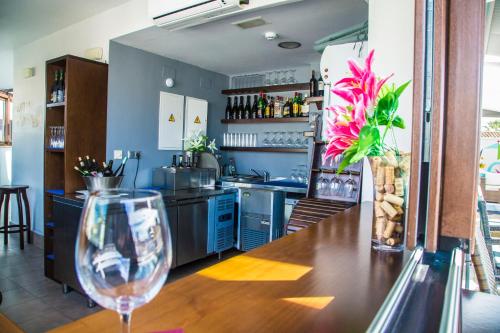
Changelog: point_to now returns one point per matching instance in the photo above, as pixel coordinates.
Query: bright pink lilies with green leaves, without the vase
(360, 126)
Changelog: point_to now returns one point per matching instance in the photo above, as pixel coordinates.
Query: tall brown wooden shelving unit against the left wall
(83, 115)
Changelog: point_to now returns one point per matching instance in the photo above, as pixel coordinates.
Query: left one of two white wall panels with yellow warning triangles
(171, 121)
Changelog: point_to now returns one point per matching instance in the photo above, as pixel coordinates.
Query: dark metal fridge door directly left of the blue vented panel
(192, 229)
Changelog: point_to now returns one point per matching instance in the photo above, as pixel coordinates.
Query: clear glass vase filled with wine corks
(390, 182)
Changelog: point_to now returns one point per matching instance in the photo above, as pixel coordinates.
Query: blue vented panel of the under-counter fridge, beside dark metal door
(221, 223)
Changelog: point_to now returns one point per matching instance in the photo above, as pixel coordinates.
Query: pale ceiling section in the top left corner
(23, 21)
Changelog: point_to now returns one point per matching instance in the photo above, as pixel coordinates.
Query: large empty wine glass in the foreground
(123, 249)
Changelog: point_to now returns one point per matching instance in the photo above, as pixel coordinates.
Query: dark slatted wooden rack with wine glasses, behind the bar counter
(328, 192)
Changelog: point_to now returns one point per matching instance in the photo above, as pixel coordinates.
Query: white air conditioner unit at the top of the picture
(178, 14)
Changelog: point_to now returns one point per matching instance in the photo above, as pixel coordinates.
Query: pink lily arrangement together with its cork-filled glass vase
(363, 127)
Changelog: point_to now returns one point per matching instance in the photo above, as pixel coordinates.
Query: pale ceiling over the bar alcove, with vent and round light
(222, 47)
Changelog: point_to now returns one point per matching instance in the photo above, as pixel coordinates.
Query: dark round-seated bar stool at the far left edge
(20, 192)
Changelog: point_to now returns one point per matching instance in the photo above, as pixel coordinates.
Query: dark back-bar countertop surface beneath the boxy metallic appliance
(170, 196)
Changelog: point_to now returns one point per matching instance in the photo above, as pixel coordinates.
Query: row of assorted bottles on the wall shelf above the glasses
(267, 107)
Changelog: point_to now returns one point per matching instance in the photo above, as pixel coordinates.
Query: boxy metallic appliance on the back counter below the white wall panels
(183, 178)
